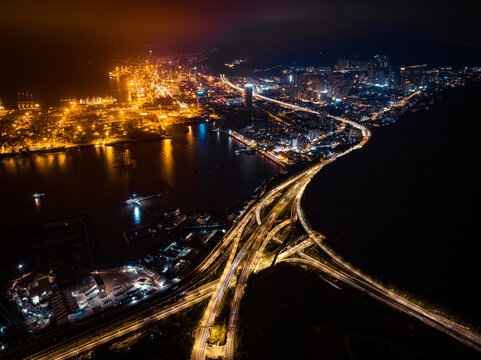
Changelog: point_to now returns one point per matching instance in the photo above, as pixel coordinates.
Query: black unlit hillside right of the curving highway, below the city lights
(404, 208)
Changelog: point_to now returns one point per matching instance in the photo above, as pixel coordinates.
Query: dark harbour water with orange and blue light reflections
(90, 181)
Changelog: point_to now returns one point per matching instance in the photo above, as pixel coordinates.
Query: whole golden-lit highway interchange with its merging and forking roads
(243, 250)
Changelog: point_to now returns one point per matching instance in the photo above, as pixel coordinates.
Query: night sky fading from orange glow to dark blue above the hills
(130, 25)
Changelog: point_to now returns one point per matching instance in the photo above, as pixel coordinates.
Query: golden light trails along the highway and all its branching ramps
(254, 262)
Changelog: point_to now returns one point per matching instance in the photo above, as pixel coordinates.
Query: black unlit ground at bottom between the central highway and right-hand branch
(290, 313)
